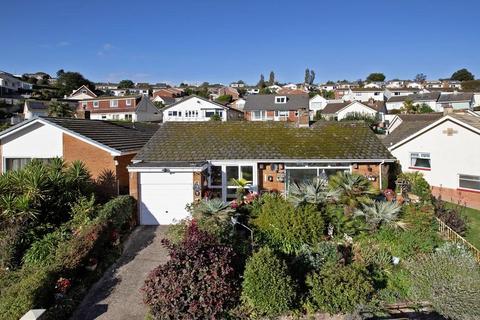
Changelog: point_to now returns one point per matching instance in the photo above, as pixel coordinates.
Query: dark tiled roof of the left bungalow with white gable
(109, 134)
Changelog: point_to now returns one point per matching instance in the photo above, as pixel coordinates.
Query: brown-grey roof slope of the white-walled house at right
(411, 123)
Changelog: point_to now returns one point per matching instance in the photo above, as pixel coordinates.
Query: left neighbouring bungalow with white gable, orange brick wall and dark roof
(102, 146)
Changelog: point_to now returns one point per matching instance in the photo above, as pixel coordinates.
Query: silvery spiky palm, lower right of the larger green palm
(381, 213)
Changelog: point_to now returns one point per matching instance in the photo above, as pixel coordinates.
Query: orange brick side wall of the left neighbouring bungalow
(95, 159)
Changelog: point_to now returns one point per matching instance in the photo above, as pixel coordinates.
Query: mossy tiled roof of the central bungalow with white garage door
(201, 141)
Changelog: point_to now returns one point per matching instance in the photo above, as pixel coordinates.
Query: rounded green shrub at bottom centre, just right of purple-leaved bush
(267, 287)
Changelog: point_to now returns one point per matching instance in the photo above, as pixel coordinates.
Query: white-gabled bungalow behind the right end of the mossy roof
(341, 110)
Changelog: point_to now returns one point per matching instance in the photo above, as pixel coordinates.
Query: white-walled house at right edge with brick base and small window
(445, 151)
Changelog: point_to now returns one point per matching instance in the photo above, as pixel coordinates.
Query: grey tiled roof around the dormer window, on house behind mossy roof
(267, 102)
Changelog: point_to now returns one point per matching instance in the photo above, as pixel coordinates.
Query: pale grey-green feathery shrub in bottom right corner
(450, 279)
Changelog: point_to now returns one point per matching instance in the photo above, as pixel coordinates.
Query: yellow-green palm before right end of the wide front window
(354, 190)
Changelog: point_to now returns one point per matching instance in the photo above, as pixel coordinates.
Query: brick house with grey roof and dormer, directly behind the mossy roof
(268, 107)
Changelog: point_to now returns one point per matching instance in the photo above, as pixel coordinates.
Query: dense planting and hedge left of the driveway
(58, 234)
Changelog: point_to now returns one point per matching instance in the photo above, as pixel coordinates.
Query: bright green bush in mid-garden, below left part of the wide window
(287, 228)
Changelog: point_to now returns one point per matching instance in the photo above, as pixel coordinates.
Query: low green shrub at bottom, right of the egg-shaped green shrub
(339, 289)
